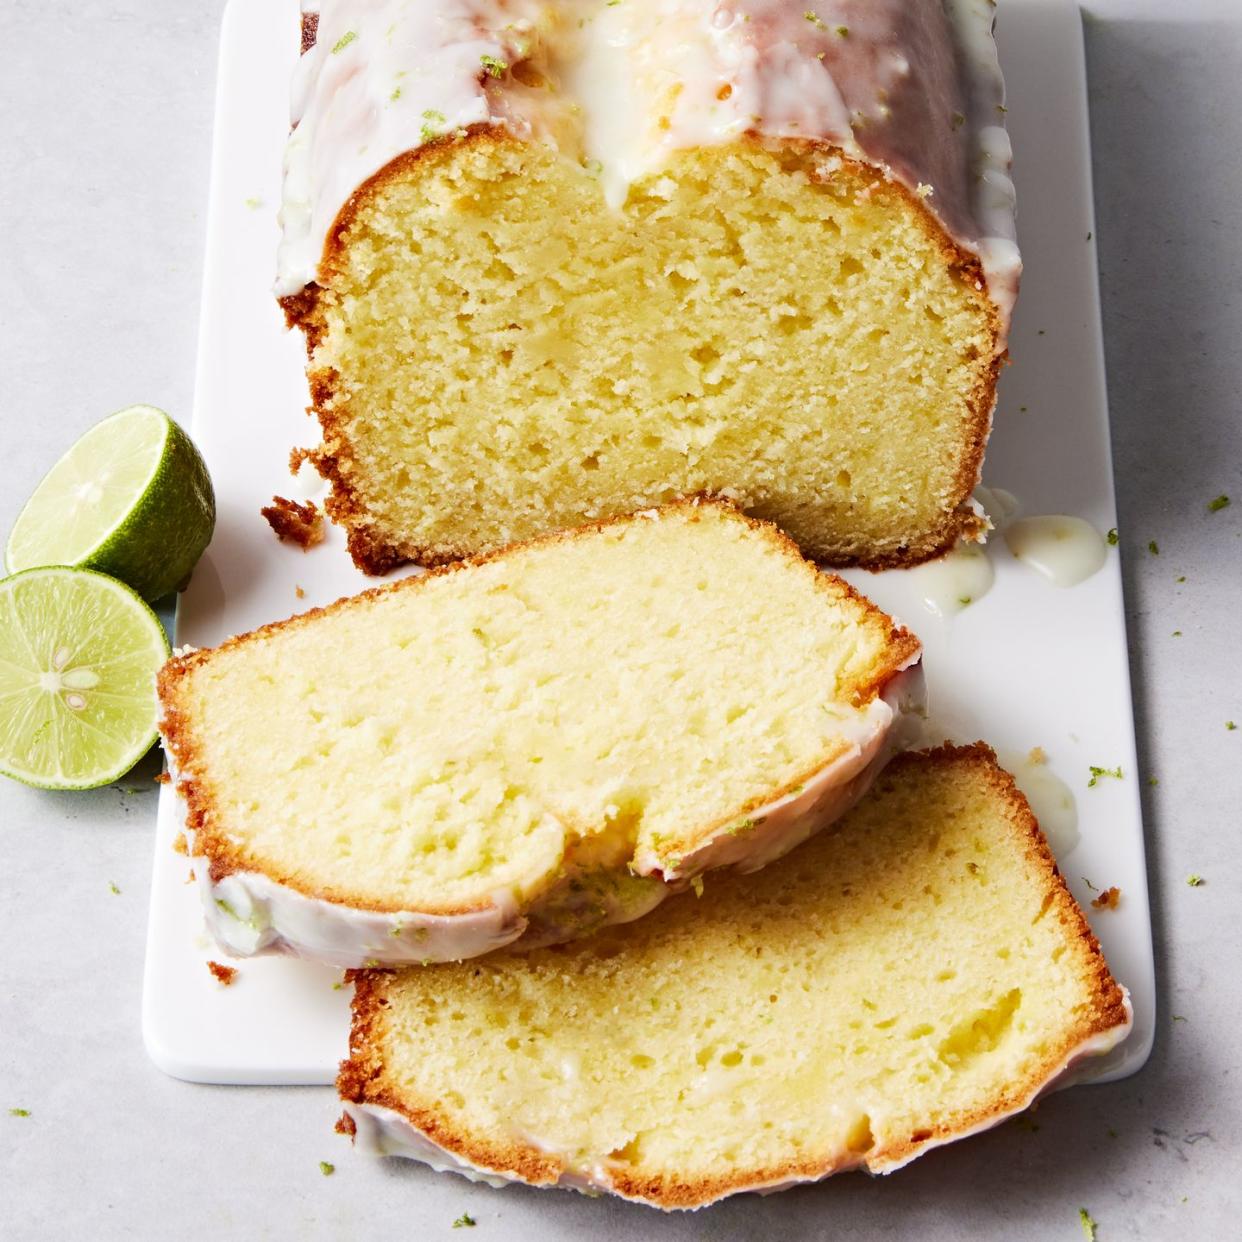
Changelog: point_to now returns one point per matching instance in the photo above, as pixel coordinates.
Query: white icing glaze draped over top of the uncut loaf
(912, 88)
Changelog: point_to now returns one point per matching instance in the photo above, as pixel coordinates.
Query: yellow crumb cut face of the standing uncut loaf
(501, 353)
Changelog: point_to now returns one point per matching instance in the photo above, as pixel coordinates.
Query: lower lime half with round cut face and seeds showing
(79, 658)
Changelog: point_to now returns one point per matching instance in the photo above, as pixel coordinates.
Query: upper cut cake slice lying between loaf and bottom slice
(532, 745)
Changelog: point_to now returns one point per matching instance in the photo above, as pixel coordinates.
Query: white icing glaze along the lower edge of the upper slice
(252, 915)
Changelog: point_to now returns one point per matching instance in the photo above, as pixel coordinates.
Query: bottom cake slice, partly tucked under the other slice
(913, 977)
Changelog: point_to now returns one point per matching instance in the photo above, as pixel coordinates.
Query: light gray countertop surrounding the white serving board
(105, 162)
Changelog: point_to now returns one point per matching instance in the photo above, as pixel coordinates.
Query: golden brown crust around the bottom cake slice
(362, 1079)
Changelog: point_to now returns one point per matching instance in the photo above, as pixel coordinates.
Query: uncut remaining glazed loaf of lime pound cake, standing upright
(560, 261)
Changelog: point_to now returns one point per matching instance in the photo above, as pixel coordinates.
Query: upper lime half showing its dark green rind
(132, 499)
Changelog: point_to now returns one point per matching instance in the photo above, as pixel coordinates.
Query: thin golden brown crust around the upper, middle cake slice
(212, 838)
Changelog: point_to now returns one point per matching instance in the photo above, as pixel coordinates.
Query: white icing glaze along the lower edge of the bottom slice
(386, 1132)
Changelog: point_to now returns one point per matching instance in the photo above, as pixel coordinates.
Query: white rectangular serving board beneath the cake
(1027, 666)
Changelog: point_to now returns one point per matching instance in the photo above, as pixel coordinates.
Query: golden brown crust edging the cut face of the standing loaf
(377, 553)
